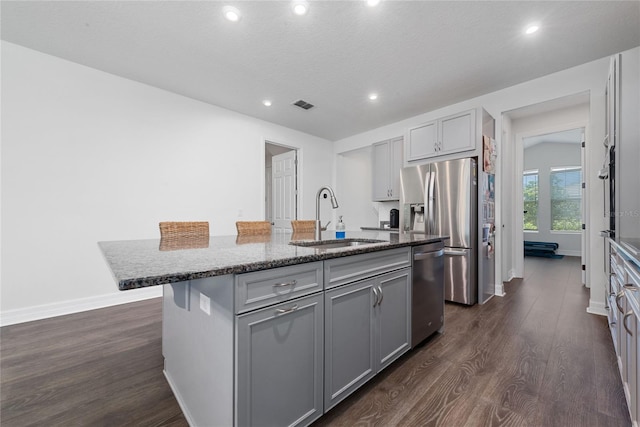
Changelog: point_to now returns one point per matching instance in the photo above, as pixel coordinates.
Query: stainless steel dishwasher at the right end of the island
(427, 293)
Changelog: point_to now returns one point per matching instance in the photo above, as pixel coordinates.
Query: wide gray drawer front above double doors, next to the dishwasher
(340, 271)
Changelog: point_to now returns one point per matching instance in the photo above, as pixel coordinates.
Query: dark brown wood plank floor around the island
(531, 358)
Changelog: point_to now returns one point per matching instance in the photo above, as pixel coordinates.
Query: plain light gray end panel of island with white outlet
(197, 337)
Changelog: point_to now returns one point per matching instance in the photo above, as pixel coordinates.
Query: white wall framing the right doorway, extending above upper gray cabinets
(589, 77)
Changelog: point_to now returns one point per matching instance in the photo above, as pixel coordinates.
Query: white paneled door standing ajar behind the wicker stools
(284, 188)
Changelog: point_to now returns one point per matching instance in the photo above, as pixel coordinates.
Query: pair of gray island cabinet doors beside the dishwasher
(367, 326)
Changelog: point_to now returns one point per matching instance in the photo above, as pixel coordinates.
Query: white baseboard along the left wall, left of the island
(45, 311)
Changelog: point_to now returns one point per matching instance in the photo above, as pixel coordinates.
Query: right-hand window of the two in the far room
(566, 199)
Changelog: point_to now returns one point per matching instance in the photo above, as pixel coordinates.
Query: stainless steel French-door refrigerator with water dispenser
(442, 198)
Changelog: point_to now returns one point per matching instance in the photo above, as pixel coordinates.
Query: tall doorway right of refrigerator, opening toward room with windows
(548, 128)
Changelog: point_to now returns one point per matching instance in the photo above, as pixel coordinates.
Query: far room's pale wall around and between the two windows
(543, 157)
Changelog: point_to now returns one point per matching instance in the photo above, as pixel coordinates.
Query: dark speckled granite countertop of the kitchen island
(141, 263)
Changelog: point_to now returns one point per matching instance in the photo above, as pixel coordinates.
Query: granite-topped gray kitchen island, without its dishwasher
(259, 331)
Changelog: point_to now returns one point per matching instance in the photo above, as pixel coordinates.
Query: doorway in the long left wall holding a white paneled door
(281, 185)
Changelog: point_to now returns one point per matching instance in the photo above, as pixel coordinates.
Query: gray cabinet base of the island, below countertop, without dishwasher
(278, 347)
